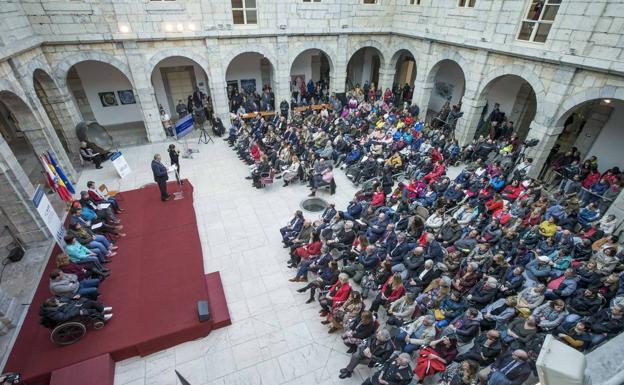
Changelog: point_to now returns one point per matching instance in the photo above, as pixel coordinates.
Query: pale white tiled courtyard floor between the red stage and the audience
(275, 337)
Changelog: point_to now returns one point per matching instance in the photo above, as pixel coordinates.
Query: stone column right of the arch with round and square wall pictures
(144, 91)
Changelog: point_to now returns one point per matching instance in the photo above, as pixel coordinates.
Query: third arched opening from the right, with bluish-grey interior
(448, 87)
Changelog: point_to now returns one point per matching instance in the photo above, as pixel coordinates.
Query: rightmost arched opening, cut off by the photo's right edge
(594, 128)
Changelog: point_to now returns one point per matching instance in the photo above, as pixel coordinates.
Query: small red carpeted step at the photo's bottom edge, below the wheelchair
(96, 371)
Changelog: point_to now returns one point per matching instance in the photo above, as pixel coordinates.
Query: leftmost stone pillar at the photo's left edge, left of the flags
(16, 193)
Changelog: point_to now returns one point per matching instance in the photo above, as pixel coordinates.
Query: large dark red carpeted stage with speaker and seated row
(157, 279)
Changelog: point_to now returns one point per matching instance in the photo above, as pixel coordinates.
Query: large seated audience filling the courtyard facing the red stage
(465, 276)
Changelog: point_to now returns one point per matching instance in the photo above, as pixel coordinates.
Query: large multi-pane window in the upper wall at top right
(536, 25)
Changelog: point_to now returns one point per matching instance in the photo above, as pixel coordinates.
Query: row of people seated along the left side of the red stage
(80, 269)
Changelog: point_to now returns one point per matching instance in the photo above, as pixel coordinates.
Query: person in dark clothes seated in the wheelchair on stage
(59, 309)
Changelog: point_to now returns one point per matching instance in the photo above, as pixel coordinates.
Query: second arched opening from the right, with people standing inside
(510, 108)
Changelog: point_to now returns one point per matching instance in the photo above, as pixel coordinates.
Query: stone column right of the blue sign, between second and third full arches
(218, 85)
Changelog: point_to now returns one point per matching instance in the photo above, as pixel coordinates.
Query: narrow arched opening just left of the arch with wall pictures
(51, 100)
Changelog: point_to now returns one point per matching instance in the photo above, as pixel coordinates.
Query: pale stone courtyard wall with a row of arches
(580, 61)
